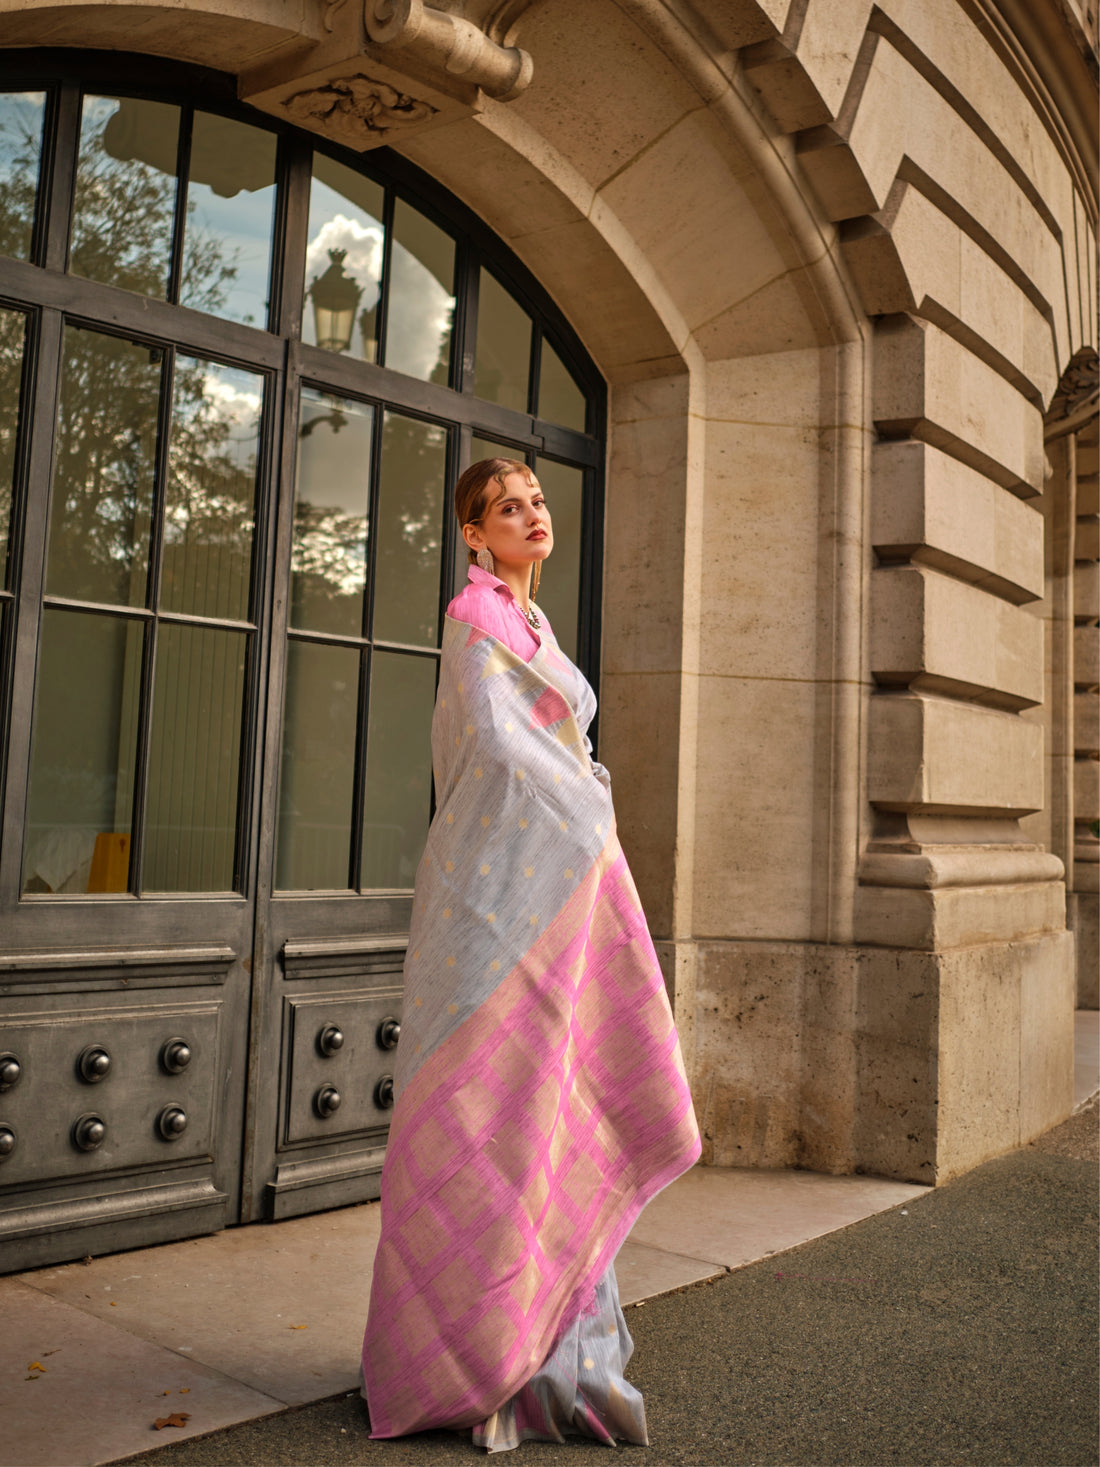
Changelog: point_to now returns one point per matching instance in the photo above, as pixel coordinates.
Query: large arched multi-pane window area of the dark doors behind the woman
(241, 373)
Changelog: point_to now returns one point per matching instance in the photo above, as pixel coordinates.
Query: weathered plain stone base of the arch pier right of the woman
(914, 1066)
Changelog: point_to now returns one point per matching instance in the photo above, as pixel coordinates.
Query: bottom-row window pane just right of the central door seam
(319, 768)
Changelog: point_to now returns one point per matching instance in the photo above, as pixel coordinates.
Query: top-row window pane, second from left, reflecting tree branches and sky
(125, 200)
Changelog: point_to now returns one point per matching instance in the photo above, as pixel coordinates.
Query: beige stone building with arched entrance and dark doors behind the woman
(793, 306)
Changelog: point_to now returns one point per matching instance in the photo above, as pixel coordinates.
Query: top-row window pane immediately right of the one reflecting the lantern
(422, 297)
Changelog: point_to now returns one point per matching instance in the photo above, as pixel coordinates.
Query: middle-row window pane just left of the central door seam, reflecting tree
(210, 491)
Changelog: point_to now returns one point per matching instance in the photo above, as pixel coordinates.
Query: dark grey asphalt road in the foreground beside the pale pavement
(958, 1330)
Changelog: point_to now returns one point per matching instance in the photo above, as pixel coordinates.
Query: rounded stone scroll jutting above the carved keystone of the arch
(439, 42)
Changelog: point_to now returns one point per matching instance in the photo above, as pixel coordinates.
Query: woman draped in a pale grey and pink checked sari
(542, 1098)
